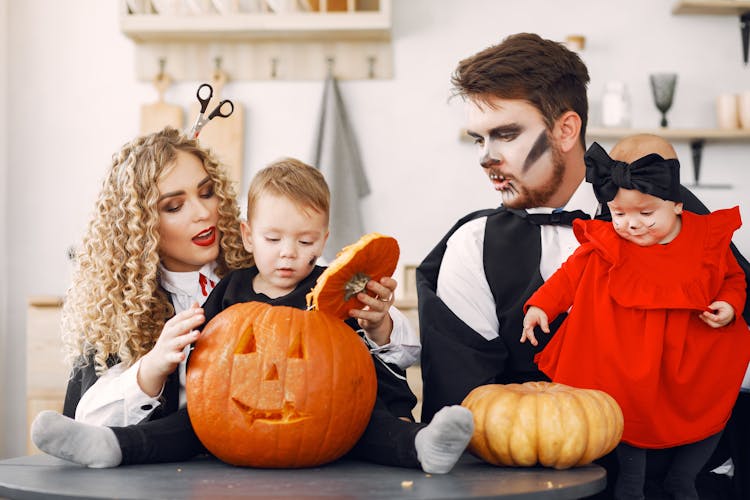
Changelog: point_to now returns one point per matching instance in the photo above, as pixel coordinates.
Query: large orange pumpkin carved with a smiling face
(275, 386)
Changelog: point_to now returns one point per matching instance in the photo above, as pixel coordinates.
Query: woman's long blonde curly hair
(115, 307)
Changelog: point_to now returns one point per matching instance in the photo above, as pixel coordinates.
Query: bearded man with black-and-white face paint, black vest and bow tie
(527, 111)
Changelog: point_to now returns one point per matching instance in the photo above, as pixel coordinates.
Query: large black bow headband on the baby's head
(651, 174)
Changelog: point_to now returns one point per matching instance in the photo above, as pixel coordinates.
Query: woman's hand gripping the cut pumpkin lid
(374, 317)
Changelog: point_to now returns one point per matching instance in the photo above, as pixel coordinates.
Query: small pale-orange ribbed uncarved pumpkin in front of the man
(552, 424)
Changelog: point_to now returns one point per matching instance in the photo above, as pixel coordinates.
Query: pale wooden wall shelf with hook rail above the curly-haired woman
(351, 38)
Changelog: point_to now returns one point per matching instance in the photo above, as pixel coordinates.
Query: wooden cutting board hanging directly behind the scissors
(224, 136)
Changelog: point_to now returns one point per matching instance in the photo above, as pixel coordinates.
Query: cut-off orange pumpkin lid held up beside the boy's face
(372, 257)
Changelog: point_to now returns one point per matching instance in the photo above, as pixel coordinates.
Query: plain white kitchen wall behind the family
(73, 101)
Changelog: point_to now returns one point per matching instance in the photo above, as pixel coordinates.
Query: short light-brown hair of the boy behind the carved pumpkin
(290, 178)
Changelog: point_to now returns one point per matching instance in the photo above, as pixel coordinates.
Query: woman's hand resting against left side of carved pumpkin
(167, 354)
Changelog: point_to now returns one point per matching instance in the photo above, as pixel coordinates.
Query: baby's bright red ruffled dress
(633, 329)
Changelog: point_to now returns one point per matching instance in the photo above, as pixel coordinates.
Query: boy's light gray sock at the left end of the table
(90, 445)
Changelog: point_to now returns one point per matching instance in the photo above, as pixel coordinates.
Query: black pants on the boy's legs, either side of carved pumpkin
(387, 440)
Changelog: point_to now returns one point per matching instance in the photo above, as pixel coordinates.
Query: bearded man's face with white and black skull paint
(516, 152)
